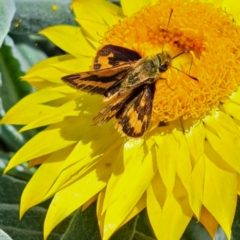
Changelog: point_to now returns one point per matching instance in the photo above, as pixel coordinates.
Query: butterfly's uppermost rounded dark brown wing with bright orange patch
(111, 56)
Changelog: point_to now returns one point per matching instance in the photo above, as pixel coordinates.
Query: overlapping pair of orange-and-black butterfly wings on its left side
(111, 65)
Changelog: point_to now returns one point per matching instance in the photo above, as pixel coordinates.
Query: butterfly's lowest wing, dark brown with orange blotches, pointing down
(135, 116)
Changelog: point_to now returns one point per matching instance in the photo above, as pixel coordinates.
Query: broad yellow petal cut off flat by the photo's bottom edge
(175, 205)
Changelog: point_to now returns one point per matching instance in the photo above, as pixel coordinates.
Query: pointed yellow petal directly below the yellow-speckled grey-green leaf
(70, 39)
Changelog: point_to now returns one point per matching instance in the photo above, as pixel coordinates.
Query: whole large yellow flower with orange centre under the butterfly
(188, 167)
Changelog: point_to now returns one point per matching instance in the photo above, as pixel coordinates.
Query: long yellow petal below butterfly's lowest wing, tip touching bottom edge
(128, 193)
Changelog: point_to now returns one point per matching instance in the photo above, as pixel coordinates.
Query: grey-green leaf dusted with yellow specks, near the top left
(34, 15)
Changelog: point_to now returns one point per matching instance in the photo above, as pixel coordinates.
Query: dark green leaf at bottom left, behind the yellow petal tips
(31, 225)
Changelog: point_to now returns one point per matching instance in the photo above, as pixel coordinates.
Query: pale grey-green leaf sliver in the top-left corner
(7, 11)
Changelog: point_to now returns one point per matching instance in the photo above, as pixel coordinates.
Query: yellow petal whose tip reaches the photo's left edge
(33, 107)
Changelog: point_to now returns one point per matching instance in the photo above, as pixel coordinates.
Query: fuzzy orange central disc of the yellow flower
(204, 44)
